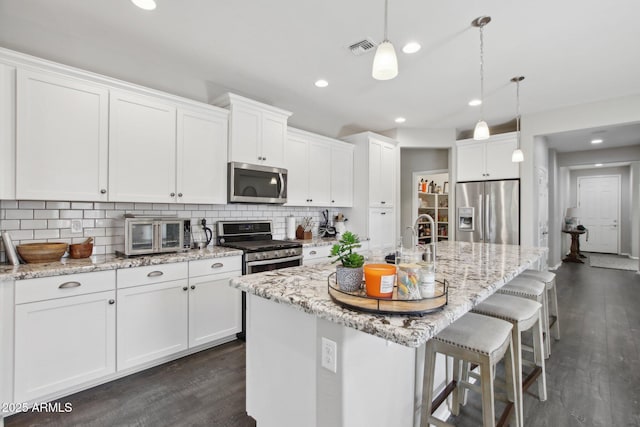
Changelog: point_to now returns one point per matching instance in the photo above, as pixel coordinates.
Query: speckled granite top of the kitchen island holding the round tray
(474, 272)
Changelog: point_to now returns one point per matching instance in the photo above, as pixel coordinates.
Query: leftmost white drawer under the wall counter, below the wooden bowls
(45, 288)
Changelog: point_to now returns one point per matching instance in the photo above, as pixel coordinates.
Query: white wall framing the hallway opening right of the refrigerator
(601, 113)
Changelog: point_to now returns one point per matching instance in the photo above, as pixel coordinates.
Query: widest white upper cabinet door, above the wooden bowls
(62, 144)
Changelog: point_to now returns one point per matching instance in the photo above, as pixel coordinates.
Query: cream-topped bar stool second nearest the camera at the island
(524, 315)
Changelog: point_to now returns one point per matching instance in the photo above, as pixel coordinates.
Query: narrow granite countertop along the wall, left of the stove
(107, 262)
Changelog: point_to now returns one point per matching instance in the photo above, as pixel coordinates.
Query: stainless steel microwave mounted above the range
(256, 184)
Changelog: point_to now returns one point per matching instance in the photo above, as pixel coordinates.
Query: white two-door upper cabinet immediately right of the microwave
(308, 182)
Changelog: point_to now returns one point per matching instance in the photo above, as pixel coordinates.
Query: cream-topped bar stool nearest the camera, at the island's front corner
(481, 340)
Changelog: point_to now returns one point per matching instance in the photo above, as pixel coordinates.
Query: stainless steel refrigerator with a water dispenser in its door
(488, 211)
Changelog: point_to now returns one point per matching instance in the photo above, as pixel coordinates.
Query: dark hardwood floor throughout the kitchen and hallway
(593, 374)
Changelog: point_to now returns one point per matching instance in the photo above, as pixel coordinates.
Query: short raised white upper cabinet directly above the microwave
(257, 132)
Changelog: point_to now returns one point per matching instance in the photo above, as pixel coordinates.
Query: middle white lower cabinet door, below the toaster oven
(152, 322)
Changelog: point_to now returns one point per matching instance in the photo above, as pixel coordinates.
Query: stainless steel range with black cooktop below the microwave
(260, 251)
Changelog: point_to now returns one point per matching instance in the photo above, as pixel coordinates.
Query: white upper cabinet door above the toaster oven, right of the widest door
(142, 149)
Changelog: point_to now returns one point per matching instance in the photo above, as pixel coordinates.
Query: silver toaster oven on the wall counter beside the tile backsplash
(151, 234)
